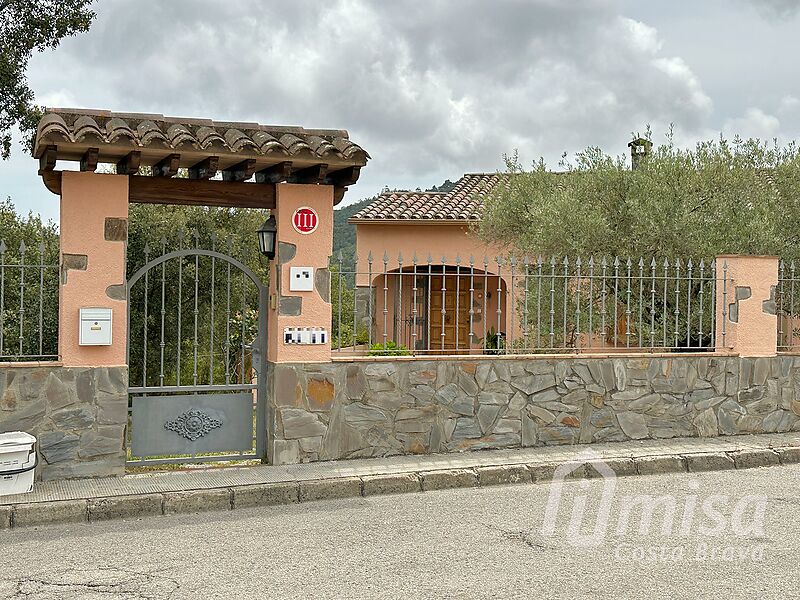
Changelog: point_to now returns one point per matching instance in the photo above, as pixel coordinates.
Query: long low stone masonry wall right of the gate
(361, 409)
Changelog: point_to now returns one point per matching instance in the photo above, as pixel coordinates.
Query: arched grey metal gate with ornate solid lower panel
(196, 321)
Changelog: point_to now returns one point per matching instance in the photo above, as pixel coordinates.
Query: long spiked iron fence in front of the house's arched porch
(512, 305)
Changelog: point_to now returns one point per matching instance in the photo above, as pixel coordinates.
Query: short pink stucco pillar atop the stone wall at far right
(746, 322)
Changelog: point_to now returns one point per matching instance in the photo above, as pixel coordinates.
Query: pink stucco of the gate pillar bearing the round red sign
(312, 250)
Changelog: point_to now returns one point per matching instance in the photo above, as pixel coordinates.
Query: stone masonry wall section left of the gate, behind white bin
(77, 414)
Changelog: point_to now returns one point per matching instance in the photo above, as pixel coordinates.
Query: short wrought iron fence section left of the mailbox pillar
(28, 302)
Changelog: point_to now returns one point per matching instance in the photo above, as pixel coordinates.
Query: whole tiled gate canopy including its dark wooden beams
(236, 151)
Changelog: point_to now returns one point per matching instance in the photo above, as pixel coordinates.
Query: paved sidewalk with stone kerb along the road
(228, 488)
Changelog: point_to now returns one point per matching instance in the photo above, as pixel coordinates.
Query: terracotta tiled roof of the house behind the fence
(463, 203)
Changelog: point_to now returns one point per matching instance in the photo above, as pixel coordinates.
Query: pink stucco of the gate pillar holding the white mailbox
(87, 199)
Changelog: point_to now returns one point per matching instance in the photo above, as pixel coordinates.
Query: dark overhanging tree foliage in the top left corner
(27, 26)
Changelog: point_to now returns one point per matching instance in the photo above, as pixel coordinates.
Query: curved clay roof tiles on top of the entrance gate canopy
(74, 131)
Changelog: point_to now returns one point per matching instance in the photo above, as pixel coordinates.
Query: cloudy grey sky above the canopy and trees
(435, 88)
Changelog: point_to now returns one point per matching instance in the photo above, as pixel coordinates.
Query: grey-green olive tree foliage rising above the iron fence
(739, 196)
